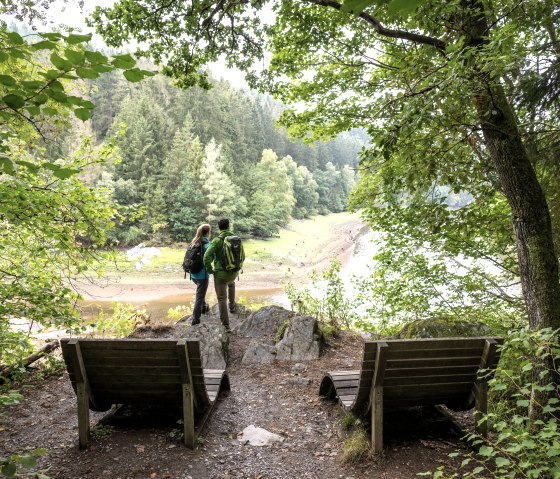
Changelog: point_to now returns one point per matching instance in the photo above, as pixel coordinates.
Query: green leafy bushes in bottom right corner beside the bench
(520, 447)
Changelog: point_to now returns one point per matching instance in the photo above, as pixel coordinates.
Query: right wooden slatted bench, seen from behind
(415, 372)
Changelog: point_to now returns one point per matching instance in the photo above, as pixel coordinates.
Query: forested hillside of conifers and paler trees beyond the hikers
(193, 156)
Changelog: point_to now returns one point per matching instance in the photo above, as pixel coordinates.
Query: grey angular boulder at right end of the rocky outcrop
(301, 341)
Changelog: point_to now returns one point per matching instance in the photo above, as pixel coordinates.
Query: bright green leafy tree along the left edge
(52, 223)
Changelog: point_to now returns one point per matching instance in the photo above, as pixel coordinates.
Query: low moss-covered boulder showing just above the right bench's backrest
(442, 327)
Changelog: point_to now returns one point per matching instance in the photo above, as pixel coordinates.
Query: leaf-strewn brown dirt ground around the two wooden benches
(147, 444)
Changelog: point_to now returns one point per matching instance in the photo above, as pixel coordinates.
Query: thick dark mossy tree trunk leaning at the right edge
(538, 264)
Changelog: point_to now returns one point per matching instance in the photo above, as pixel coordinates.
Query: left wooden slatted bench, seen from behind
(142, 371)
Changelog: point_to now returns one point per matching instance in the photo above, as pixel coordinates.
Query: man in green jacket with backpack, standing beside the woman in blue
(224, 278)
